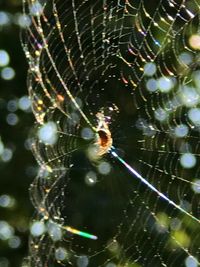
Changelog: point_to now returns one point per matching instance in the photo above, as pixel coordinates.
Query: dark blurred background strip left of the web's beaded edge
(17, 166)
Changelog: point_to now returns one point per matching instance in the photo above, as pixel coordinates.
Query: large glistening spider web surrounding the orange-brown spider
(137, 63)
